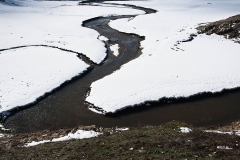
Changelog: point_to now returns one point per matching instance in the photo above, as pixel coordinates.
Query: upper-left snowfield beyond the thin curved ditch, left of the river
(55, 24)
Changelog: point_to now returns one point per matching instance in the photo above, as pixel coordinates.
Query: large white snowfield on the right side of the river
(169, 68)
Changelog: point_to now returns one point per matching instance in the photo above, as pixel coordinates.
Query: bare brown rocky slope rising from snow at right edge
(229, 28)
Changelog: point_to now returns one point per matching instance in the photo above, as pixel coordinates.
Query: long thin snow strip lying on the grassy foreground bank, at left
(79, 134)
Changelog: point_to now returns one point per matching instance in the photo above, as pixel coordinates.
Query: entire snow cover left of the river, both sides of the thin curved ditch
(30, 72)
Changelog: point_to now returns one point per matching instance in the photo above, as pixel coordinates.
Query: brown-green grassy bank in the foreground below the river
(148, 142)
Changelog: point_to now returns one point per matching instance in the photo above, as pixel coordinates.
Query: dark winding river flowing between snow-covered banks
(65, 108)
